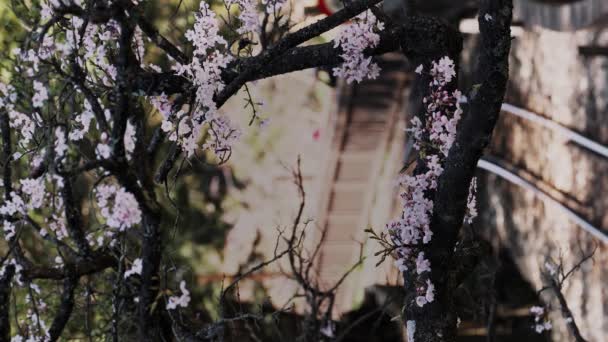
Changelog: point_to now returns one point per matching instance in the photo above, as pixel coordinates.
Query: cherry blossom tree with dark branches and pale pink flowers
(78, 108)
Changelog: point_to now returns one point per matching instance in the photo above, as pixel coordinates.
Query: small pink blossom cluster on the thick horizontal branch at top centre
(354, 39)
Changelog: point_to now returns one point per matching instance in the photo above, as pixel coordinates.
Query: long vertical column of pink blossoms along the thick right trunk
(433, 138)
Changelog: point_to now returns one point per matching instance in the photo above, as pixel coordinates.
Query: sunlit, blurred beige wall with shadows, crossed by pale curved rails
(550, 77)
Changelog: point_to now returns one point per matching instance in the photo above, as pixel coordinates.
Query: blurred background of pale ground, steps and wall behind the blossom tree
(542, 183)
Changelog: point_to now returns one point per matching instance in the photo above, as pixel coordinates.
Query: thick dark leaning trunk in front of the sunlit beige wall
(436, 321)
